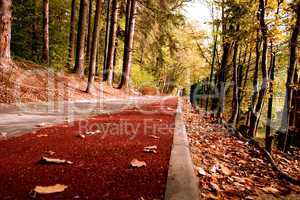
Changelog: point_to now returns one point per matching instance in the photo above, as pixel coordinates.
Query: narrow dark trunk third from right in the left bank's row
(105, 65)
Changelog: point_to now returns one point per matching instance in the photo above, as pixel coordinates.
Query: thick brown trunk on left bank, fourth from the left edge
(79, 63)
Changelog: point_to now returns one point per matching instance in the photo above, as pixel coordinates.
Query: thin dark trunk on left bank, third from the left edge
(72, 36)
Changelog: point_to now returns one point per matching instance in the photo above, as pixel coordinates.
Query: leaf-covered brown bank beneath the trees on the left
(29, 82)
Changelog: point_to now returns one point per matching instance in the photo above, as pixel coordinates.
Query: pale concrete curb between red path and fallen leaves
(182, 183)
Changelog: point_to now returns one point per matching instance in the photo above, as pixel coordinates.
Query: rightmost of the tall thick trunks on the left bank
(128, 46)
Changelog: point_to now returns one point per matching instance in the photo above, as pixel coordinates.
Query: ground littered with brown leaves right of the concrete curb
(229, 168)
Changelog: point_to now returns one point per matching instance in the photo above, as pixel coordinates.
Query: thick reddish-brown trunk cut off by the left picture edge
(5, 32)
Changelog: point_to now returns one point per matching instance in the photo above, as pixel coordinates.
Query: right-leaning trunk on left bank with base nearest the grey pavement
(95, 41)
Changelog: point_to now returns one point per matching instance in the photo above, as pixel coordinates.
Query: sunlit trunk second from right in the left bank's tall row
(112, 40)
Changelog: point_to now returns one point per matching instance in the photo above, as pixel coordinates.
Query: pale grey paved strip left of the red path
(17, 119)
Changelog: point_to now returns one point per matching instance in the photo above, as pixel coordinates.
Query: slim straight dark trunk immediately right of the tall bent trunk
(268, 138)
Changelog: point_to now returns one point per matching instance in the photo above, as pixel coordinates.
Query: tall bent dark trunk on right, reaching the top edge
(255, 116)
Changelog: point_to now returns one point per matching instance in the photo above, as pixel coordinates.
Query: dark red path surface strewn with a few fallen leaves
(101, 162)
